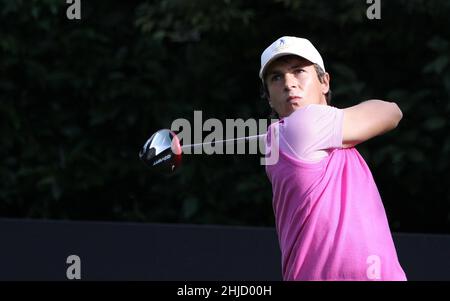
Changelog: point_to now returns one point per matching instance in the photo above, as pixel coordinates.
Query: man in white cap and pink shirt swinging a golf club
(330, 219)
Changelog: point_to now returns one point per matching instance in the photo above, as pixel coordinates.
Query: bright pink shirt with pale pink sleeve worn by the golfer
(330, 219)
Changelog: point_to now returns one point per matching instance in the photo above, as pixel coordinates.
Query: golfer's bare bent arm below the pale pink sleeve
(369, 119)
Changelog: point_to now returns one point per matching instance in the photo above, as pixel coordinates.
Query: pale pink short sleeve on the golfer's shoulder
(311, 132)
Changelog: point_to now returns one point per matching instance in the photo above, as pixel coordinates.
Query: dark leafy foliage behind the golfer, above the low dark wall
(78, 99)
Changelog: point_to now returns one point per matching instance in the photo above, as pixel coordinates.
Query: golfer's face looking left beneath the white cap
(292, 83)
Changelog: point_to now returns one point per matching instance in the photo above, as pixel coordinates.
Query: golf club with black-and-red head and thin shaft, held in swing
(163, 150)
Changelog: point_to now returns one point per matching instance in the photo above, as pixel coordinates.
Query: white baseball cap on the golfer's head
(290, 45)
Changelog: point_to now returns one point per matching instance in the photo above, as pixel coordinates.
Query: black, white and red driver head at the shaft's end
(162, 151)
